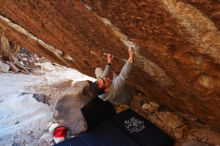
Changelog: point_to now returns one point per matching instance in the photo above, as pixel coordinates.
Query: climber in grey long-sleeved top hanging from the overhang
(116, 90)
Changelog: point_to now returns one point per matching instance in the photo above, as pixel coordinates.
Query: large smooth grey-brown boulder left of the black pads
(67, 109)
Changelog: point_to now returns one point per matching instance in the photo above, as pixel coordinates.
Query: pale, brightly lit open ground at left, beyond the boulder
(23, 120)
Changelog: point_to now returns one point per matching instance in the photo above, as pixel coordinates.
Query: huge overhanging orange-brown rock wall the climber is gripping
(178, 44)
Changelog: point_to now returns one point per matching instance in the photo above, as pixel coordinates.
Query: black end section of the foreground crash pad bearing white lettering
(143, 132)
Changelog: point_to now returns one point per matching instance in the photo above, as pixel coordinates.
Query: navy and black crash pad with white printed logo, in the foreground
(124, 129)
